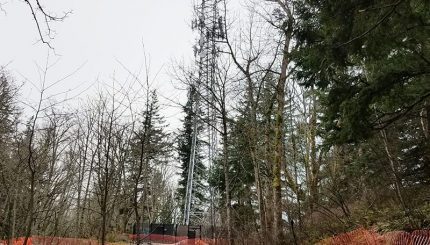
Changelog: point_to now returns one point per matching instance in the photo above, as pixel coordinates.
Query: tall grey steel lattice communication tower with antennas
(209, 23)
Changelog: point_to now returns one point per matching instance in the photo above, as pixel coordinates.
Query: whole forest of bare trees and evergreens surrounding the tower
(311, 119)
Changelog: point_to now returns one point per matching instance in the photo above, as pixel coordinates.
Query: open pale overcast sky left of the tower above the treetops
(97, 35)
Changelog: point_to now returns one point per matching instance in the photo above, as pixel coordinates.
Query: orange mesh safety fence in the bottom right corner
(366, 237)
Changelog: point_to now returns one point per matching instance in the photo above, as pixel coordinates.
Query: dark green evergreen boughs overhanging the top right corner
(371, 58)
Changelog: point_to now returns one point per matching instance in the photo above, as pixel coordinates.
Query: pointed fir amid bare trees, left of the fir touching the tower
(150, 146)
